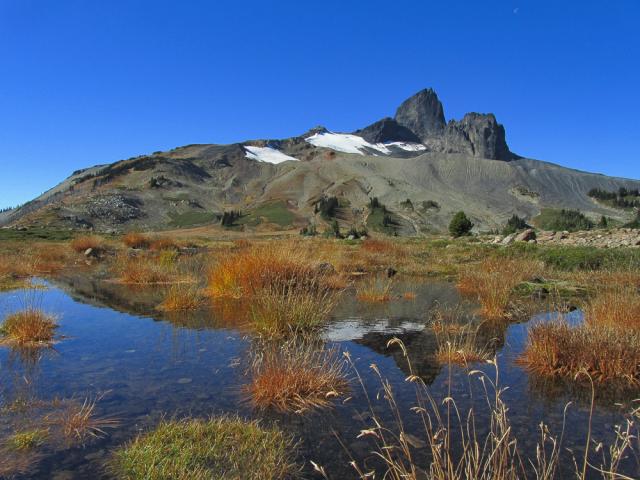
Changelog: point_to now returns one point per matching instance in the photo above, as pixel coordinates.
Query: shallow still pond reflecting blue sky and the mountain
(142, 366)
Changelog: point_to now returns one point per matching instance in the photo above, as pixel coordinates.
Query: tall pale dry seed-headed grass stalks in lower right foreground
(454, 447)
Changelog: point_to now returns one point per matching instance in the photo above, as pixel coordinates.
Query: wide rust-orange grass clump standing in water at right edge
(609, 355)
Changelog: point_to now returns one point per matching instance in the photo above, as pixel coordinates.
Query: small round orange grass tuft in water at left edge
(29, 327)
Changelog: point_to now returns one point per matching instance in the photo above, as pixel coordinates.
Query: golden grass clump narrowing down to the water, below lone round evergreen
(492, 280)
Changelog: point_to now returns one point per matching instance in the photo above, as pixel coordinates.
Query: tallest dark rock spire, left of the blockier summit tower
(422, 114)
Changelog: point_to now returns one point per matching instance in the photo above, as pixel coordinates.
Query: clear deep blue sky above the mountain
(89, 81)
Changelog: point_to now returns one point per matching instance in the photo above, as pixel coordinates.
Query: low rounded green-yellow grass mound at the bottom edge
(222, 448)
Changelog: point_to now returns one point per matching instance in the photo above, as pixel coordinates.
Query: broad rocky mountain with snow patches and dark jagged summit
(421, 167)
